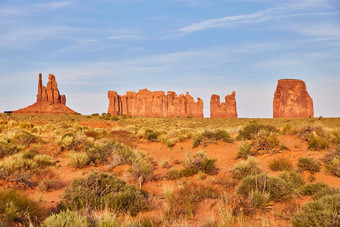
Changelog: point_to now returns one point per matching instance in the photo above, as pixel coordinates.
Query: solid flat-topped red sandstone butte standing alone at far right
(291, 100)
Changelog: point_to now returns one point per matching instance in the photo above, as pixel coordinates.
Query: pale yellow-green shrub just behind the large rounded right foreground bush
(245, 168)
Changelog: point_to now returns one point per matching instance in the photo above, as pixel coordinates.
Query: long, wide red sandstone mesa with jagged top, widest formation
(154, 104)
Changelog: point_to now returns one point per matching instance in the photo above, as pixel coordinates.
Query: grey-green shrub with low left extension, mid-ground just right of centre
(194, 163)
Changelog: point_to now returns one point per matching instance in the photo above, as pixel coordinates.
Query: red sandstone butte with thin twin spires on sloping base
(49, 100)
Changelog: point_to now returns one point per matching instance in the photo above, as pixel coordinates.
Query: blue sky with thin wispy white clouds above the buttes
(204, 47)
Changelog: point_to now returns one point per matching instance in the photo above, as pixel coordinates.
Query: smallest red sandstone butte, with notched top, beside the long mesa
(225, 109)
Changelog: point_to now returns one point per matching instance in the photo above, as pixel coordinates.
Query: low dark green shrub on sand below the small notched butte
(211, 137)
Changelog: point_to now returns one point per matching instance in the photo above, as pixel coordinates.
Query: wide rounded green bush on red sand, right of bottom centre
(276, 187)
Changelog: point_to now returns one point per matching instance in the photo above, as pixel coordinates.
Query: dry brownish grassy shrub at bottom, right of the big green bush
(182, 203)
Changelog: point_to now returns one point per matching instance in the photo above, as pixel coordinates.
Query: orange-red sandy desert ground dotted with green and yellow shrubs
(102, 170)
